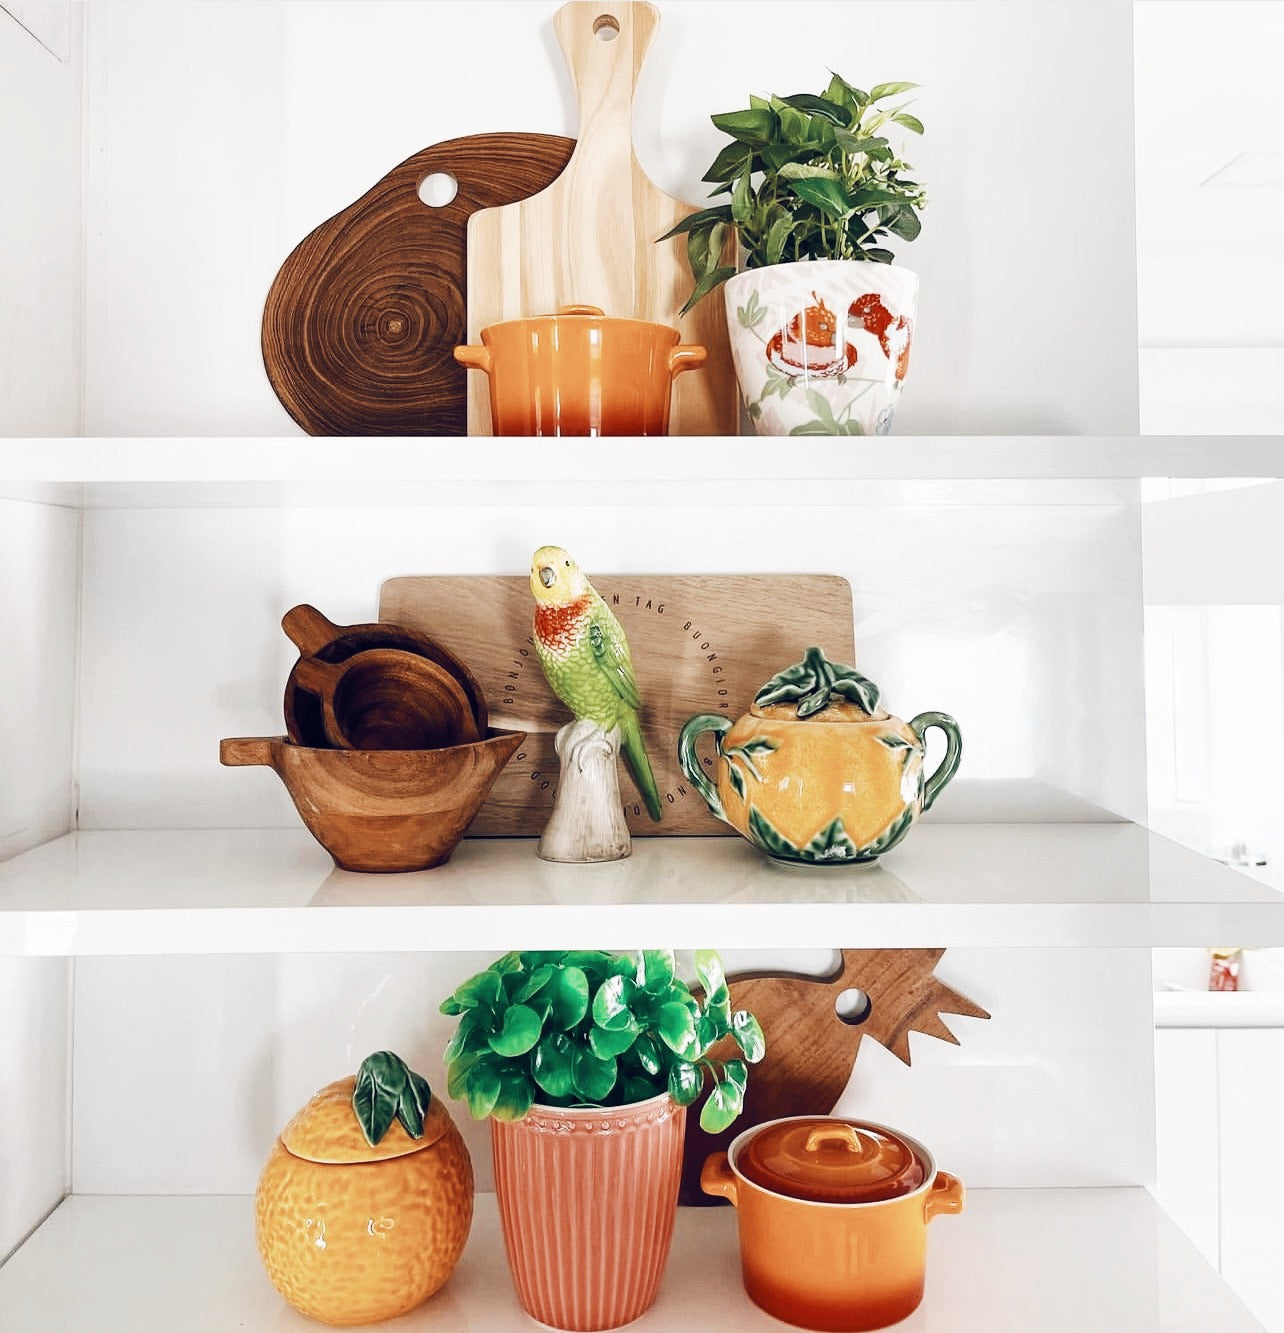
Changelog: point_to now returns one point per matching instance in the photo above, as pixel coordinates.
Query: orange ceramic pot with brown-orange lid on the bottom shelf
(841, 1242)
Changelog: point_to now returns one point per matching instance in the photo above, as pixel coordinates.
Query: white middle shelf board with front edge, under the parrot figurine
(275, 891)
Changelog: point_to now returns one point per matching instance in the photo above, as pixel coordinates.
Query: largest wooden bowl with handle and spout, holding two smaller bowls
(383, 811)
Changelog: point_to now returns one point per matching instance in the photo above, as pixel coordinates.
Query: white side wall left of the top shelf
(41, 223)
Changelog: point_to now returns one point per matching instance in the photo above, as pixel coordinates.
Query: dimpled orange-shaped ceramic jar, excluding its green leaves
(353, 1234)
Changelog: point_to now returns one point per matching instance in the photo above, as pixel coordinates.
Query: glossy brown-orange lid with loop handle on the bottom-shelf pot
(826, 1160)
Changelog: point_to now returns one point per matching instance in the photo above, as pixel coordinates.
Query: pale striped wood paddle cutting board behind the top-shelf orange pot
(590, 238)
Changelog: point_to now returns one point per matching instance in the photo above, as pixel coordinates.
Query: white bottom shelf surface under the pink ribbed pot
(1054, 1260)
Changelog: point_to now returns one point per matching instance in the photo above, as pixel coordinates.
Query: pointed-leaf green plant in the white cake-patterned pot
(810, 178)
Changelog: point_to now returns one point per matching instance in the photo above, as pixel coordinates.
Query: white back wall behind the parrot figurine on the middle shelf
(1014, 609)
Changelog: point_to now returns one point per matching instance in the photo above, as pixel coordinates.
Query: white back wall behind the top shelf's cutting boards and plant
(223, 133)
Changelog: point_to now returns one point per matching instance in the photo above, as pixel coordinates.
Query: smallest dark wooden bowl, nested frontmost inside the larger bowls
(387, 699)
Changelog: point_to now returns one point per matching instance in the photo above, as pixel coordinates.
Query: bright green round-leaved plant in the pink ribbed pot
(585, 1028)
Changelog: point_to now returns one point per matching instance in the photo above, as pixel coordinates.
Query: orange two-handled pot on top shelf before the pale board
(579, 373)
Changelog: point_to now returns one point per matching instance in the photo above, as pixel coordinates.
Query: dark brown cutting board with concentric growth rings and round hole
(363, 318)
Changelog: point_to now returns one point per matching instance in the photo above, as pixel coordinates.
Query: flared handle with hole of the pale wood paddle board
(606, 43)
